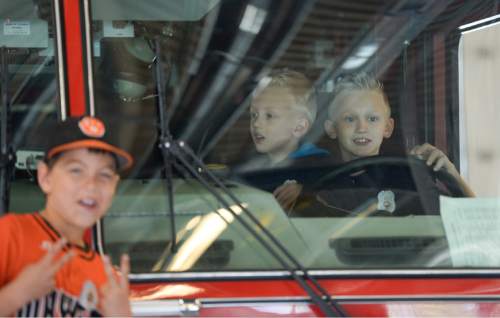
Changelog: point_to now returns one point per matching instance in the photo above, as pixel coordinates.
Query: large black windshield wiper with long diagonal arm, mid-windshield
(173, 151)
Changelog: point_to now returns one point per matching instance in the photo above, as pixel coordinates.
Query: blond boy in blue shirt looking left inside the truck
(282, 111)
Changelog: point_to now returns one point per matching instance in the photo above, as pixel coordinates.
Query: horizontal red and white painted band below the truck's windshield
(369, 287)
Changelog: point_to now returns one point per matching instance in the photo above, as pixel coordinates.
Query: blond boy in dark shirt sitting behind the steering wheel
(359, 118)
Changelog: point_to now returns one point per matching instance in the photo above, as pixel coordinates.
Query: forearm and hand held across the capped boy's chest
(37, 279)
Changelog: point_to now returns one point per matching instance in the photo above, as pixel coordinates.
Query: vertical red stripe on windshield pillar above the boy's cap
(74, 58)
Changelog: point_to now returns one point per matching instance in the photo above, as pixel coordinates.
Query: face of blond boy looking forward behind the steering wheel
(360, 123)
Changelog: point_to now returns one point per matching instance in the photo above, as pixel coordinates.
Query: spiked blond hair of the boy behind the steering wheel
(354, 82)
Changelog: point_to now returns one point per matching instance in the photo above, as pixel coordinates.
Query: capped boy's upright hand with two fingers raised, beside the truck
(115, 292)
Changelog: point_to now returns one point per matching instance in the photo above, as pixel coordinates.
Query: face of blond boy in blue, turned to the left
(276, 125)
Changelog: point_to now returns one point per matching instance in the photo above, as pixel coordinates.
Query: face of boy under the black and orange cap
(79, 188)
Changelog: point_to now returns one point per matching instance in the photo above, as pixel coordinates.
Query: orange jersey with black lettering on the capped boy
(77, 282)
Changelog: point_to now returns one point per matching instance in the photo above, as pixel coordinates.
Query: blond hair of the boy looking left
(300, 87)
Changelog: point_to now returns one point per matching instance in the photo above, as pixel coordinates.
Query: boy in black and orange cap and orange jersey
(46, 268)
